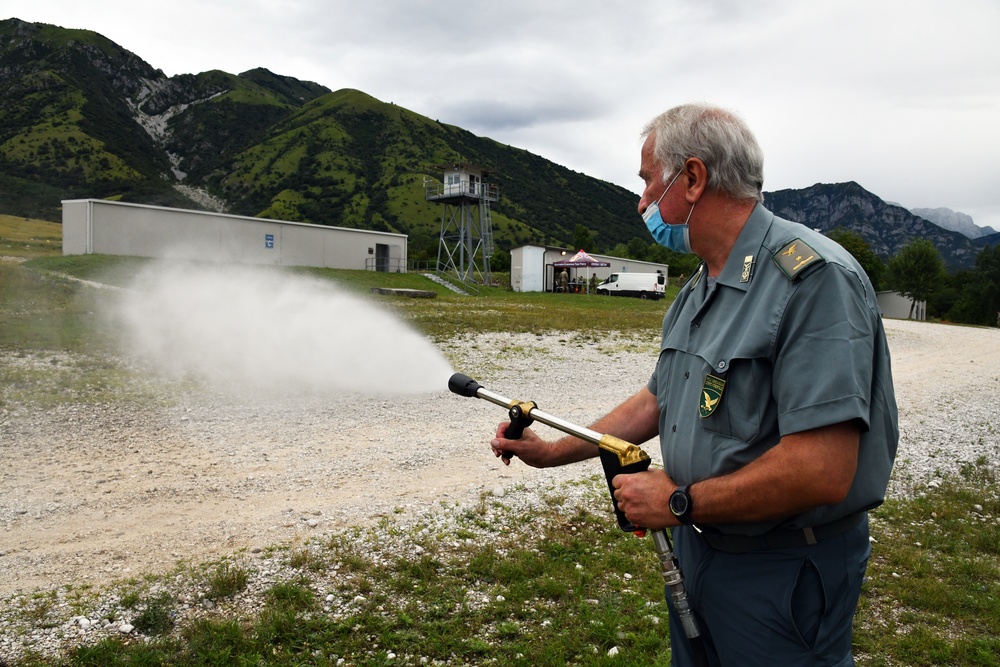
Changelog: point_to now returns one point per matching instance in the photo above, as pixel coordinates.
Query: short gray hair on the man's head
(719, 138)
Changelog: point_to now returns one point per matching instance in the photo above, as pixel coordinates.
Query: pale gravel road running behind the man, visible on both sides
(96, 494)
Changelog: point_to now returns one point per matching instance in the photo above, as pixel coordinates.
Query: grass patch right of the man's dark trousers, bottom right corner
(932, 595)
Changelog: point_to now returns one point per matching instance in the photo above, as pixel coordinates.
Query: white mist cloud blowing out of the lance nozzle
(246, 328)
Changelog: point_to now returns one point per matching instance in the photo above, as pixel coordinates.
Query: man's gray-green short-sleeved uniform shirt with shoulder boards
(787, 339)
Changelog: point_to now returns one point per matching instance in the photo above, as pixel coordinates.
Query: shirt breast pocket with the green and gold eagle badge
(738, 408)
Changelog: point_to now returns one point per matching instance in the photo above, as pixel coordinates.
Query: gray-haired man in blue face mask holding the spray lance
(772, 398)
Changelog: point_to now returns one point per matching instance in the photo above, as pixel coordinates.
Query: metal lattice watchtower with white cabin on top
(466, 243)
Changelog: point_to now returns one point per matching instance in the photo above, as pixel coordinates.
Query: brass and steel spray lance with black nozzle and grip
(618, 457)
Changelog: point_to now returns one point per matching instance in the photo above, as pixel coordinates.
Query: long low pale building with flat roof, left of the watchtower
(96, 226)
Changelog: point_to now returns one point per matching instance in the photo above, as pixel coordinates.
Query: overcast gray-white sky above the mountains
(901, 96)
